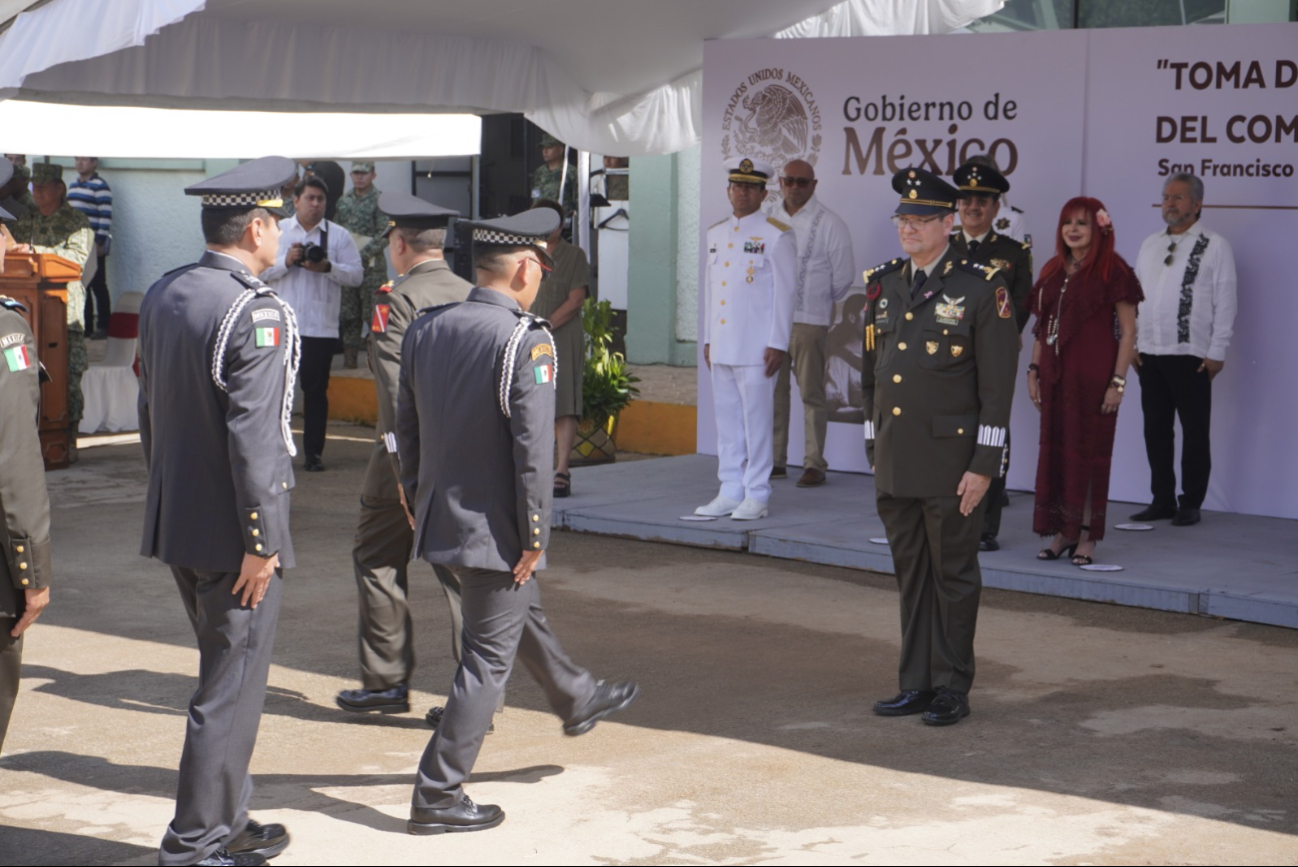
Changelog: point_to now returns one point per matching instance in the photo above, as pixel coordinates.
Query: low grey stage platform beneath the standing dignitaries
(1231, 567)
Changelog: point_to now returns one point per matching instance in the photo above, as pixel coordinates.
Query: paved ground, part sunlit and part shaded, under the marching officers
(1100, 735)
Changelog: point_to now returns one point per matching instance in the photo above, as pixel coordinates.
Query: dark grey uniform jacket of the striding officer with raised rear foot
(476, 432)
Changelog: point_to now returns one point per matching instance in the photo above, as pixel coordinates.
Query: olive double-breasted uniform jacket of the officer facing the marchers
(939, 380)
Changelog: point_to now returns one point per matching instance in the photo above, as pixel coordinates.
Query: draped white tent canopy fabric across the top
(346, 56)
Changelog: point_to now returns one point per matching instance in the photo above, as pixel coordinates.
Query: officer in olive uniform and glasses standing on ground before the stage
(938, 378)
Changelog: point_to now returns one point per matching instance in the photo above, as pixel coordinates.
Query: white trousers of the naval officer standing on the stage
(744, 402)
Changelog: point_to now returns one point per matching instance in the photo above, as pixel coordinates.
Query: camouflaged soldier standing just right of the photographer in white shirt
(359, 214)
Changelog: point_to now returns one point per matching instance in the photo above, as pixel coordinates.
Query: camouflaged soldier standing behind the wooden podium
(54, 226)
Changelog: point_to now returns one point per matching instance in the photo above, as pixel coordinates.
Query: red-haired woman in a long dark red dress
(1086, 329)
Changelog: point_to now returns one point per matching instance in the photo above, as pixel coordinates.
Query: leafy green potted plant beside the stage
(608, 387)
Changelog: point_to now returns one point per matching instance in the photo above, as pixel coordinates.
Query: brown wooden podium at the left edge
(40, 281)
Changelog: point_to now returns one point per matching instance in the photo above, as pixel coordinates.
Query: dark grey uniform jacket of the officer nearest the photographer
(217, 455)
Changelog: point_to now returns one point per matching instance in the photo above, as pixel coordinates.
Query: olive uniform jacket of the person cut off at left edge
(24, 499)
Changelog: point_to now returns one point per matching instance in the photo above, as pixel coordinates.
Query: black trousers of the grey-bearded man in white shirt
(1171, 387)
